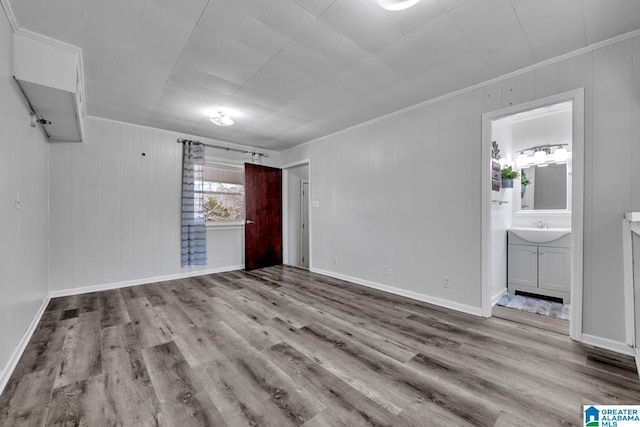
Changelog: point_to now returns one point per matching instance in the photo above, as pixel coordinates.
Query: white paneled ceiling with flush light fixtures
(295, 70)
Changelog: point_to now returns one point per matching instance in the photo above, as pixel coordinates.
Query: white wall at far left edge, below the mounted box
(23, 169)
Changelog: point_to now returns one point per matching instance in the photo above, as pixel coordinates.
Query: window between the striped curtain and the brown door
(223, 190)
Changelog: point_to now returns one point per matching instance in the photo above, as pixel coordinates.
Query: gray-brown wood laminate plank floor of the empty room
(282, 346)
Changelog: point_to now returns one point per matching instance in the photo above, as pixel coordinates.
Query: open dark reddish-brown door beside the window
(263, 216)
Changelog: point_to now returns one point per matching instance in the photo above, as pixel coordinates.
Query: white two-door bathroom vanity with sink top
(539, 262)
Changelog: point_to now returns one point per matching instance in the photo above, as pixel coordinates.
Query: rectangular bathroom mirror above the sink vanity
(547, 189)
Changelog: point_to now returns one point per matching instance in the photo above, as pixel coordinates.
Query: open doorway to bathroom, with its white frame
(532, 213)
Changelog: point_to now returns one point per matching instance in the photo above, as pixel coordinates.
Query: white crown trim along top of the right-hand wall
(485, 83)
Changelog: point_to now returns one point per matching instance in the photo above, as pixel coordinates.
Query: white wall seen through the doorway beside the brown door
(294, 234)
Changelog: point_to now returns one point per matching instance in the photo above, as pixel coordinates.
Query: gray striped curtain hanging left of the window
(194, 236)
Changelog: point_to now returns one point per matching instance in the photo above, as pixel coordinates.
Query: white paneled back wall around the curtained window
(115, 215)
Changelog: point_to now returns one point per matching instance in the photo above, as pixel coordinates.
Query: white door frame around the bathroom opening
(577, 205)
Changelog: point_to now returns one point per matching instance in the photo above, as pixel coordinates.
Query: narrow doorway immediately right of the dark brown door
(297, 218)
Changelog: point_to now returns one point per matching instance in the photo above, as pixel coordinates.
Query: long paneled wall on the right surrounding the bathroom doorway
(405, 191)
